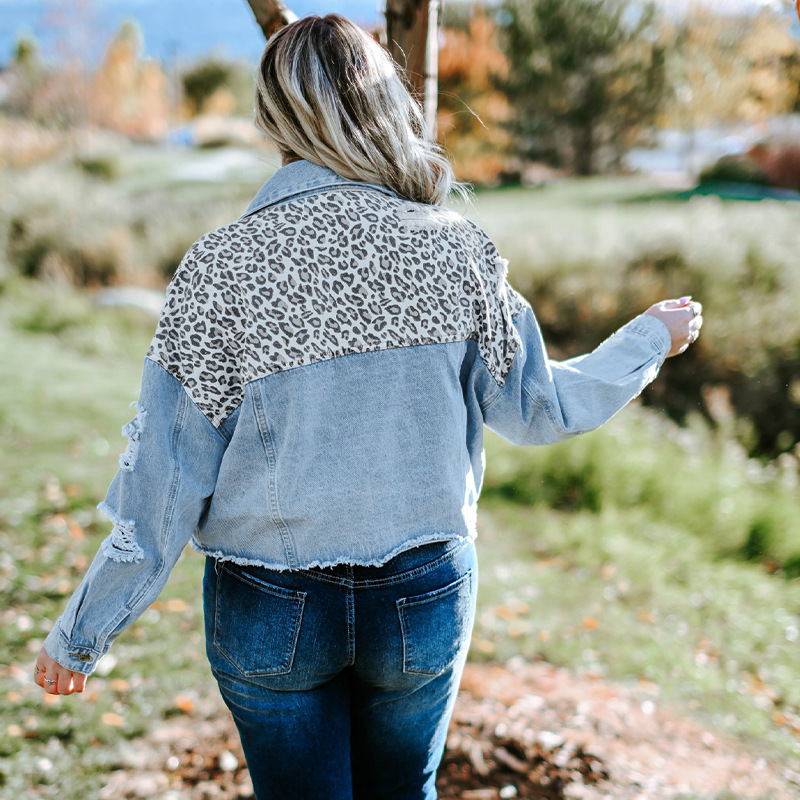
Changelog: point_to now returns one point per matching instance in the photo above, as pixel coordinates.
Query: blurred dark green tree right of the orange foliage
(585, 78)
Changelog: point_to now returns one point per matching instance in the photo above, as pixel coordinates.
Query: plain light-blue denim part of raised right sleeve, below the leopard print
(543, 401)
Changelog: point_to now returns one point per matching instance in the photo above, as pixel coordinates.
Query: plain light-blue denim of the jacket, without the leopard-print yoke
(348, 460)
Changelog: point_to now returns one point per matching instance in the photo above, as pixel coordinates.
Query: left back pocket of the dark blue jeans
(256, 624)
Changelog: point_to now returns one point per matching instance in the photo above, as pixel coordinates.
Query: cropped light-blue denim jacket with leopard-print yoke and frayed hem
(316, 391)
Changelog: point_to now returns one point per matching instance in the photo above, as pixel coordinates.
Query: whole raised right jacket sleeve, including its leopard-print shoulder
(530, 399)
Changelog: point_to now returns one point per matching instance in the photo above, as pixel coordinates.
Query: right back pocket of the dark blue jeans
(436, 626)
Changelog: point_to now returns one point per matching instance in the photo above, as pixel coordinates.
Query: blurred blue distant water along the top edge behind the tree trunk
(182, 29)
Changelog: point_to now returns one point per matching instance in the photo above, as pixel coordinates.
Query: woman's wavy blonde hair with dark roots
(328, 93)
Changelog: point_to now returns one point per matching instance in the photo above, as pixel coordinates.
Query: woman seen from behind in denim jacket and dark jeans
(311, 416)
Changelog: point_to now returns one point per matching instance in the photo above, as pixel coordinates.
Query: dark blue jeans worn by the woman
(342, 680)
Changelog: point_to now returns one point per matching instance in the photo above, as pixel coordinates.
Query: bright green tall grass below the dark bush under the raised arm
(694, 479)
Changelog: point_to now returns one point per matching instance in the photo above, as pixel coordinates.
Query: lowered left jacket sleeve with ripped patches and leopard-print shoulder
(167, 475)
